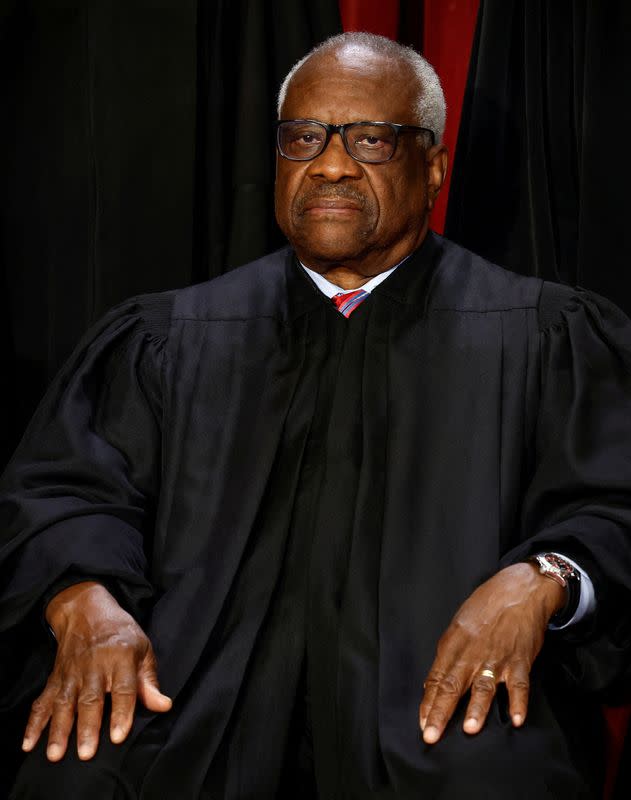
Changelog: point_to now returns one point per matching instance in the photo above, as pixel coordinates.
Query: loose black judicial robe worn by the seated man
(257, 478)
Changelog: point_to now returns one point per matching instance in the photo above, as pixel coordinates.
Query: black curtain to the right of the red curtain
(541, 177)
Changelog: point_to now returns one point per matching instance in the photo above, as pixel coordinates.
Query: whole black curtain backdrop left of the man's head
(136, 154)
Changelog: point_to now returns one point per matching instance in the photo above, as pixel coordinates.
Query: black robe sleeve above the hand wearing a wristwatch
(578, 501)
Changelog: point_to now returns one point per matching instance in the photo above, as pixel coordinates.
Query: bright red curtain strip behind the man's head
(447, 35)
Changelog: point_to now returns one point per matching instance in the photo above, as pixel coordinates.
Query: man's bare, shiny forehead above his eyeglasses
(350, 85)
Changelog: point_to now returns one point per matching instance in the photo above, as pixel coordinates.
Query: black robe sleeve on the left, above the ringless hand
(78, 498)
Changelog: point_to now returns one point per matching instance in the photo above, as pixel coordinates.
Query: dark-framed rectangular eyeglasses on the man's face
(369, 142)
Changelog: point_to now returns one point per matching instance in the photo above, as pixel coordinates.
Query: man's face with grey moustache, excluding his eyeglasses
(338, 211)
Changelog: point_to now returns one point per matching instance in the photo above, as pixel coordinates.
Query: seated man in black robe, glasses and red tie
(299, 517)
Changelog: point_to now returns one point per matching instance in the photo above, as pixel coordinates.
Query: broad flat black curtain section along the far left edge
(97, 159)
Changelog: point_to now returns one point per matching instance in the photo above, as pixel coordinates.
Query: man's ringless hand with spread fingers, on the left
(100, 649)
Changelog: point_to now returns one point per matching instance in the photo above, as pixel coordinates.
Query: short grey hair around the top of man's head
(430, 109)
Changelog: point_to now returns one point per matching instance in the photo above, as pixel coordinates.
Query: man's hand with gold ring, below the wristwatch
(494, 638)
